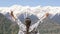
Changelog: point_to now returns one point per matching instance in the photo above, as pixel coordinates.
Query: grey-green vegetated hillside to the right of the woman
(49, 27)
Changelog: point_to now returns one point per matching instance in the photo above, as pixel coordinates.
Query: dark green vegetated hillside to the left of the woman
(7, 26)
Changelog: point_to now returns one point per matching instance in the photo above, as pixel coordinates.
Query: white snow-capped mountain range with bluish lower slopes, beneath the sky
(38, 11)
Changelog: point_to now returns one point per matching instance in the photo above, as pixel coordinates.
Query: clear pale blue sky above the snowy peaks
(7, 3)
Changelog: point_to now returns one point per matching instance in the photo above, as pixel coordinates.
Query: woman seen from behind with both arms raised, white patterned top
(27, 28)
